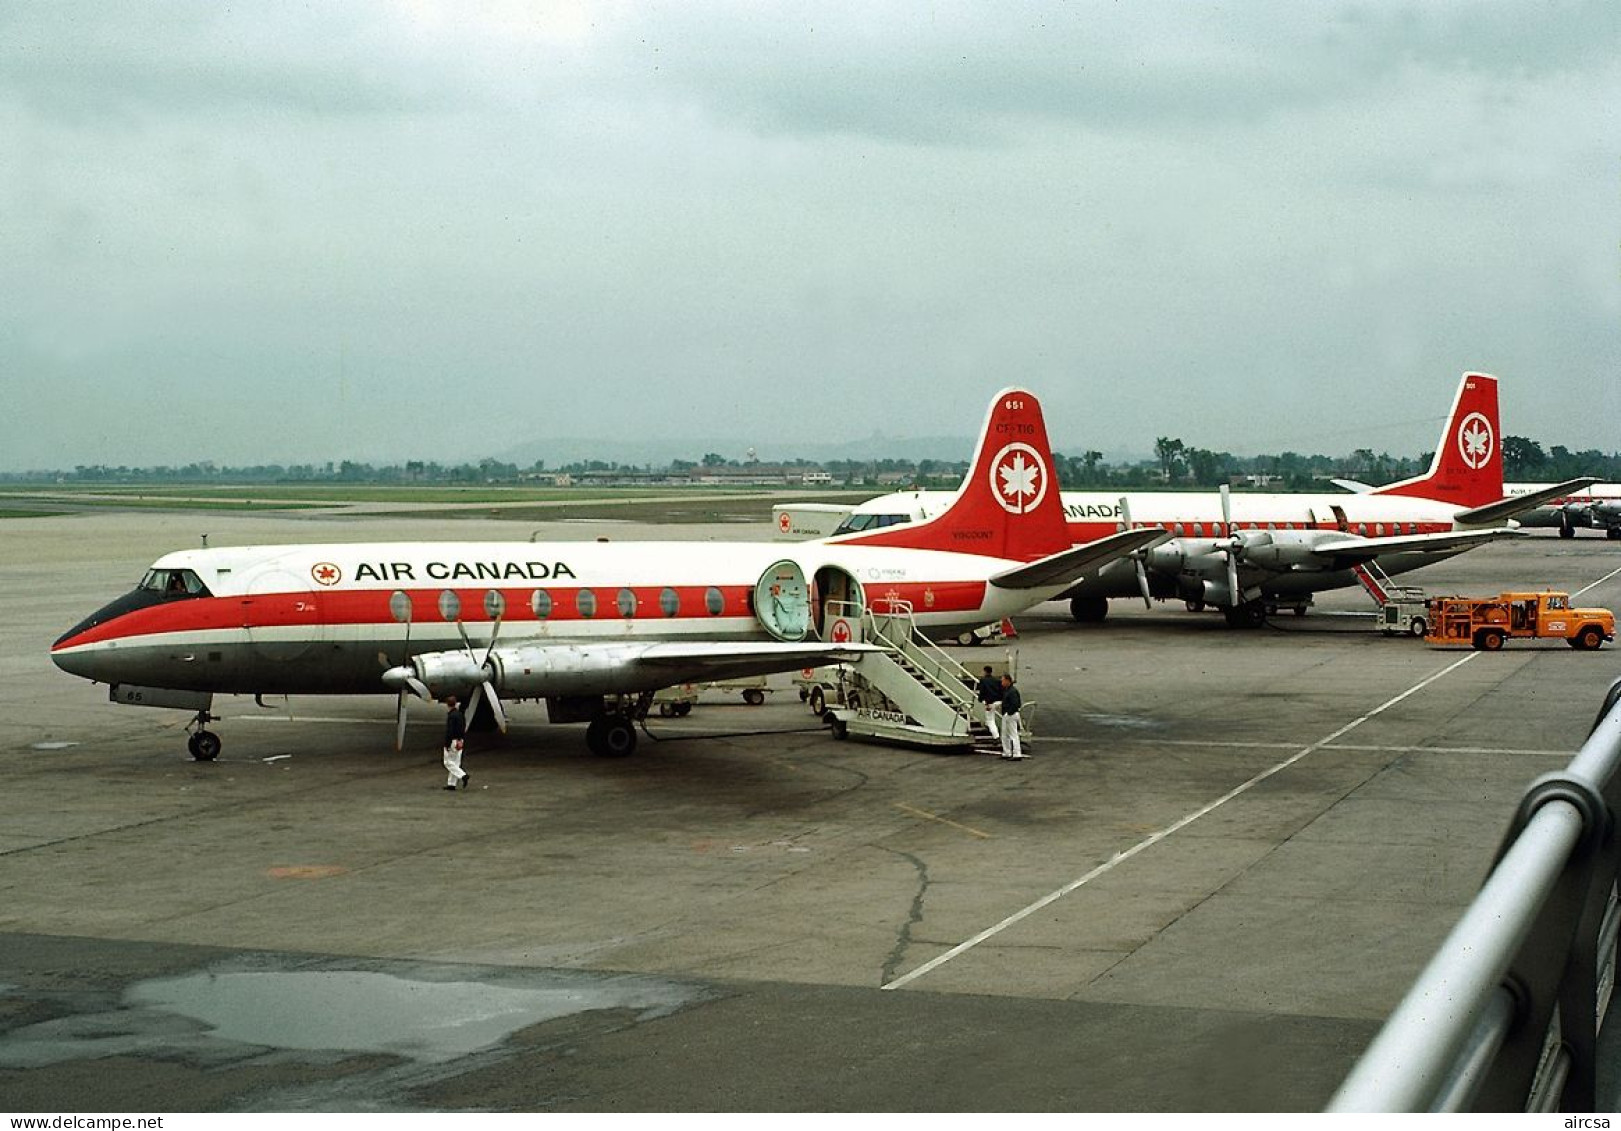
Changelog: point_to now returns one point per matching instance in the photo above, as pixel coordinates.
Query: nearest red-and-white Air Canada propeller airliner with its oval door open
(591, 628)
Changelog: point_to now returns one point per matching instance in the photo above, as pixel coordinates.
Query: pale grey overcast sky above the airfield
(437, 229)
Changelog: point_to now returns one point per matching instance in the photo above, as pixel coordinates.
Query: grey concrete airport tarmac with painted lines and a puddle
(1225, 866)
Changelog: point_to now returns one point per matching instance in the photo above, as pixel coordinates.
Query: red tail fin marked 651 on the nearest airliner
(1009, 505)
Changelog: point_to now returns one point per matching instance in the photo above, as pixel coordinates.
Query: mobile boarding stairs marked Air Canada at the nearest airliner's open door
(912, 691)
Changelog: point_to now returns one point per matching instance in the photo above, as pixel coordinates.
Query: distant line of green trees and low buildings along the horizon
(1174, 466)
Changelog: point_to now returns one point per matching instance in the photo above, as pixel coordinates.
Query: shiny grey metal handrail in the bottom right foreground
(1520, 989)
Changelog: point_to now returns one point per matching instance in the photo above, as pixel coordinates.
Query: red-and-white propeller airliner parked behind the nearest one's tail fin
(1252, 553)
